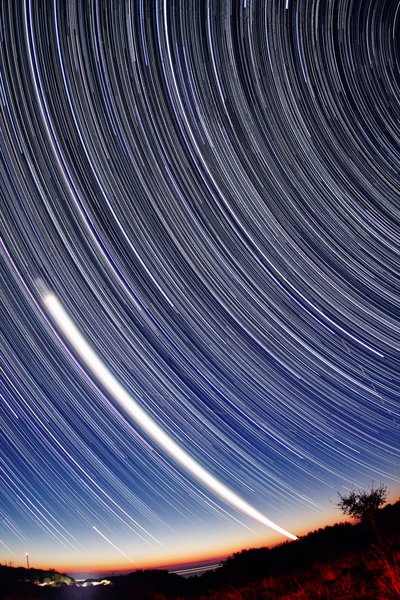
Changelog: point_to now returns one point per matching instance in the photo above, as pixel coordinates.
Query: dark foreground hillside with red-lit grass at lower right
(349, 562)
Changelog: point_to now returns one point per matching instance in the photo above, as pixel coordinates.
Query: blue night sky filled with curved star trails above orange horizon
(210, 189)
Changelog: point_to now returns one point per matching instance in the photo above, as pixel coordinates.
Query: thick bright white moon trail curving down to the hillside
(103, 374)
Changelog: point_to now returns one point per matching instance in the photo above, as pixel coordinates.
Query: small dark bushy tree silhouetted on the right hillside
(363, 504)
